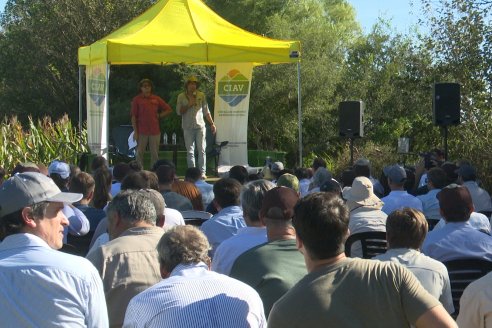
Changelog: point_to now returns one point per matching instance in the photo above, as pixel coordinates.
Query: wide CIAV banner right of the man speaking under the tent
(232, 91)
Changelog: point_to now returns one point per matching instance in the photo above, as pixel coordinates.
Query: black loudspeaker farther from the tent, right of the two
(446, 104)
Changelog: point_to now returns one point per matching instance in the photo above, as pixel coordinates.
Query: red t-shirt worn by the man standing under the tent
(144, 109)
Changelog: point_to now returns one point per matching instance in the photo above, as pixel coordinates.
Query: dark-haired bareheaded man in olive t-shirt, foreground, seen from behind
(348, 292)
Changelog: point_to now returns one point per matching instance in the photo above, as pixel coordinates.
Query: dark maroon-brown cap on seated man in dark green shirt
(278, 203)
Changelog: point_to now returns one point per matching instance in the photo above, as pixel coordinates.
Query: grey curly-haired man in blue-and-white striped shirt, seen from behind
(190, 295)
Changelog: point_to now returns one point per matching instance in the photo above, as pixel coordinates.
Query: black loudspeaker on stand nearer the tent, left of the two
(350, 122)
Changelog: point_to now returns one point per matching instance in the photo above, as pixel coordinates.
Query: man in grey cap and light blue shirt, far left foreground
(41, 286)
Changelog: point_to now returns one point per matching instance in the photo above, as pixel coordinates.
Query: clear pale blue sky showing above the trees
(402, 15)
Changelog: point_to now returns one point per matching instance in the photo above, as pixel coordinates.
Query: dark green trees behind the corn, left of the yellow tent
(38, 50)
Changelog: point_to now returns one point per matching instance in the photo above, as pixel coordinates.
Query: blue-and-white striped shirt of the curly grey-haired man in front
(195, 297)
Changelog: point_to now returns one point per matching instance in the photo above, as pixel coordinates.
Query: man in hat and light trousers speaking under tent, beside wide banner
(192, 107)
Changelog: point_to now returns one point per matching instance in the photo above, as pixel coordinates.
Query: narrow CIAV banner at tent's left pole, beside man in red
(97, 108)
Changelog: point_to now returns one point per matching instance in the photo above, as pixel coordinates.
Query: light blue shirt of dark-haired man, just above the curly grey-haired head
(223, 225)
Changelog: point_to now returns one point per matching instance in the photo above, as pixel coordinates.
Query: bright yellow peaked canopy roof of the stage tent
(185, 31)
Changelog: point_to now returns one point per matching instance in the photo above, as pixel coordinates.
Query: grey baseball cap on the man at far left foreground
(25, 189)
